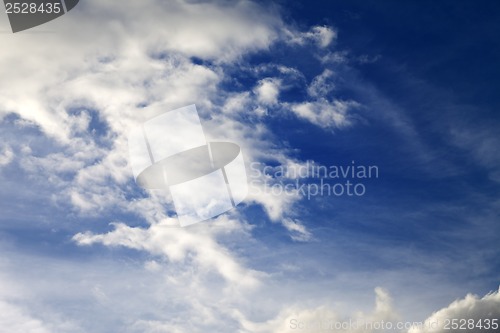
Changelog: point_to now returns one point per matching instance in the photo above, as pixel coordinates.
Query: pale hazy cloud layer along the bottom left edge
(74, 296)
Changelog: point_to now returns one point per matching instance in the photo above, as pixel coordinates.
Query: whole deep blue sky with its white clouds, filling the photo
(408, 87)
